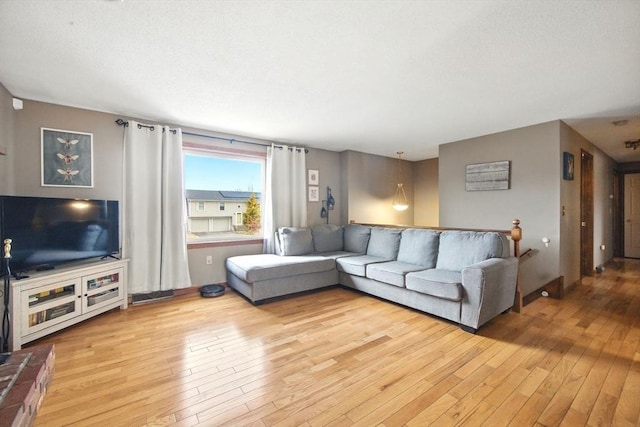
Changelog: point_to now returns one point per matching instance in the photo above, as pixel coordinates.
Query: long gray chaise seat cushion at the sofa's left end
(254, 268)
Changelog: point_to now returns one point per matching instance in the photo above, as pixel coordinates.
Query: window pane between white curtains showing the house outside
(230, 181)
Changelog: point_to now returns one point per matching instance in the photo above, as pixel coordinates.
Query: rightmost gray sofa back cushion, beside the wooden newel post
(459, 249)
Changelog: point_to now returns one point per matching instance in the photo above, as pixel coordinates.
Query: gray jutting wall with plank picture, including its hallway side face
(538, 197)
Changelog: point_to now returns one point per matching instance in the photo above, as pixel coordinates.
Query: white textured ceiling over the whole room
(371, 76)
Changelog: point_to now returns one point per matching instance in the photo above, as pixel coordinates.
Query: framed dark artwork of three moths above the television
(67, 158)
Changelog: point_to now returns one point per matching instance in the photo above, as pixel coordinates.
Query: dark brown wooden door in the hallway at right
(586, 214)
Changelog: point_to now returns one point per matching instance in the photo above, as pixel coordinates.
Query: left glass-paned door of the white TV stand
(50, 305)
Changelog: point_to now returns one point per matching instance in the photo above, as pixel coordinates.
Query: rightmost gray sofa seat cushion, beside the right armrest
(438, 283)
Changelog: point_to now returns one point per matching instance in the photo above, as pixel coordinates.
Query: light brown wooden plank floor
(340, 358)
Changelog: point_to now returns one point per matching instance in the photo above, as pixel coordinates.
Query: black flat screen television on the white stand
(46, 232)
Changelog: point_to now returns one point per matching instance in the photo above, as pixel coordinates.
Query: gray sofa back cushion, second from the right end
(419, 247)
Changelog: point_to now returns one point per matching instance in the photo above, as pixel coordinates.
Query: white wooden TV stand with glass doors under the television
(52, 300)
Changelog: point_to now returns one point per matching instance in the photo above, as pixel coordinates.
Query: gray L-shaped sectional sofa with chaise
(467, 277)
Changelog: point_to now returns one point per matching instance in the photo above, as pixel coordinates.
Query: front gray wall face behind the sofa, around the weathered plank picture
(533, 198)
